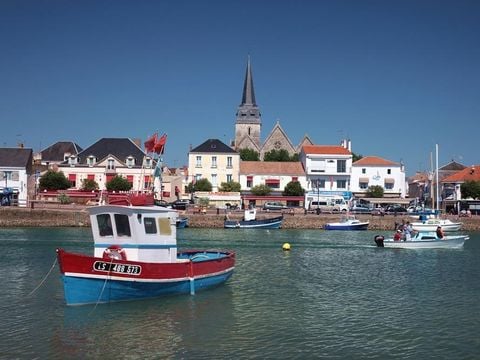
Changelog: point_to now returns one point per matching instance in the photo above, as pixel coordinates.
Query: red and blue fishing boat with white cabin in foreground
(135, 257)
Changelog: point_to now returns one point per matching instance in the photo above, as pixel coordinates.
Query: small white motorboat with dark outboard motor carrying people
(423, 240)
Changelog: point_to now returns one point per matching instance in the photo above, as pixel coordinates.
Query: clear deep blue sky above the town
(395, 77)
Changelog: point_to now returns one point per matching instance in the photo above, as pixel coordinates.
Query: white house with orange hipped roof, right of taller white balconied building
(376, 171)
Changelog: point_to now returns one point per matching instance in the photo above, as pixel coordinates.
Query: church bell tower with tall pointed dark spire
(248, 123)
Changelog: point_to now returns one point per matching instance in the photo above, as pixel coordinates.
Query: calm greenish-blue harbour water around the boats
(333, 296)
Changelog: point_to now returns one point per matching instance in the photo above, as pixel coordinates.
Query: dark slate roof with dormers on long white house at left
(121, 148)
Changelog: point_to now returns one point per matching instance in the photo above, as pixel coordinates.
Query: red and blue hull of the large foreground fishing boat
(88, 279)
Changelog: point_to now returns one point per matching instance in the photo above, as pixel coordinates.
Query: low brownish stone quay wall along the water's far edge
(76, 216)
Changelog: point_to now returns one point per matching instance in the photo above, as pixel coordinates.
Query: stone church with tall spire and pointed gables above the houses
(249, 124)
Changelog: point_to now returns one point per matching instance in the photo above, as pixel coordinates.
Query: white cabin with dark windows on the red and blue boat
(140, 233)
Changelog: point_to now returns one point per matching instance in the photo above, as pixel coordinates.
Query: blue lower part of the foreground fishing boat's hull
(79, 291)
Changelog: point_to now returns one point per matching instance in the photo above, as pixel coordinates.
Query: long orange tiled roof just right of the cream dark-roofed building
(294, 168)
